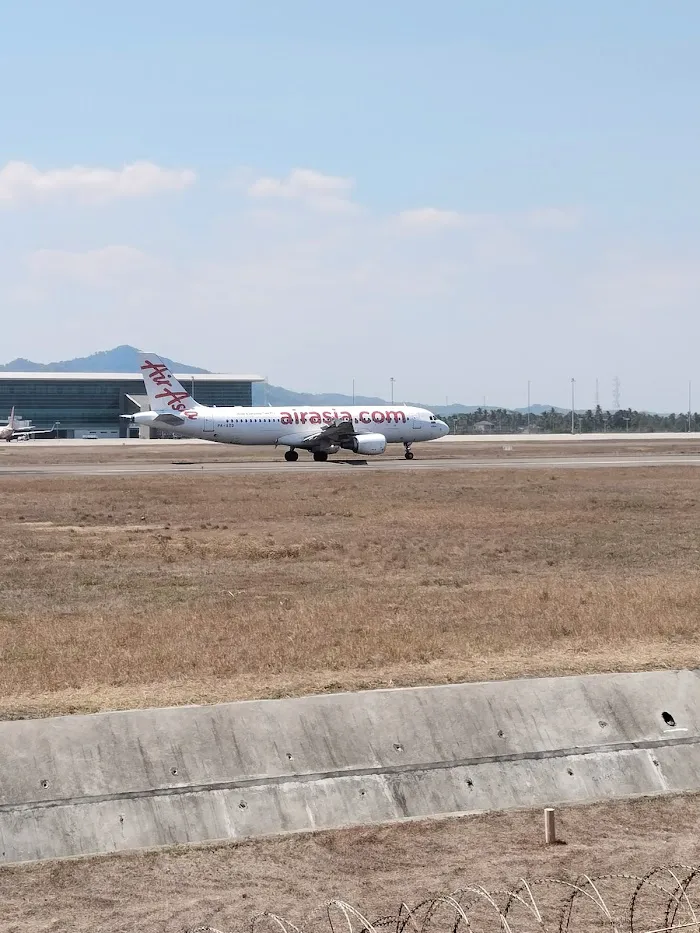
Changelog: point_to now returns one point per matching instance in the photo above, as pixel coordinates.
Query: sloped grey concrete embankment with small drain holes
(77, 785)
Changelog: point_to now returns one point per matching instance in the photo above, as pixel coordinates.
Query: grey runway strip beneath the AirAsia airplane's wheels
(350, 466)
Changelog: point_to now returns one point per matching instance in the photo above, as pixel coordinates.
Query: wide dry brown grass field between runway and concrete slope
(147, 590)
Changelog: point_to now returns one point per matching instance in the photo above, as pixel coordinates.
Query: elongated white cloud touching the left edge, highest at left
(20, 181)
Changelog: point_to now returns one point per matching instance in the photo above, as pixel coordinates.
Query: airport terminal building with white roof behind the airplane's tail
(91, 403)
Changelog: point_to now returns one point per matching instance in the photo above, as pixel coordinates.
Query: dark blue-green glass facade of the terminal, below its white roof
(82, 405)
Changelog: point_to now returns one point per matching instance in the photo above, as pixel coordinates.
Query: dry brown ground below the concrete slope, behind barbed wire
(374, 870)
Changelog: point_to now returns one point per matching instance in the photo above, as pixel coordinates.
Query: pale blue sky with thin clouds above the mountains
(463, 195)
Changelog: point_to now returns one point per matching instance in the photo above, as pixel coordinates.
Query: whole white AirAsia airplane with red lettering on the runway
(363, 430)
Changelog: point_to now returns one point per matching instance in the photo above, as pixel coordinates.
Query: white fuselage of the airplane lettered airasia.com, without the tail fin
(292, 427)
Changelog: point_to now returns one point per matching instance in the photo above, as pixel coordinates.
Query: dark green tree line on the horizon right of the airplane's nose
(503, 421)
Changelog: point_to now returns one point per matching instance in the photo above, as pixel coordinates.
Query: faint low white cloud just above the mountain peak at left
(108, 267)
